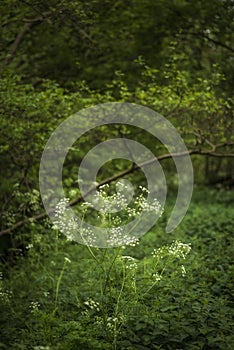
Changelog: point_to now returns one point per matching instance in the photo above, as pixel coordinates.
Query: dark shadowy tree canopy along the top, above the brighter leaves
(70, 40)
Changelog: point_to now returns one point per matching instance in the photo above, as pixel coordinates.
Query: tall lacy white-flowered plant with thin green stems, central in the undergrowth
(123, 282)
